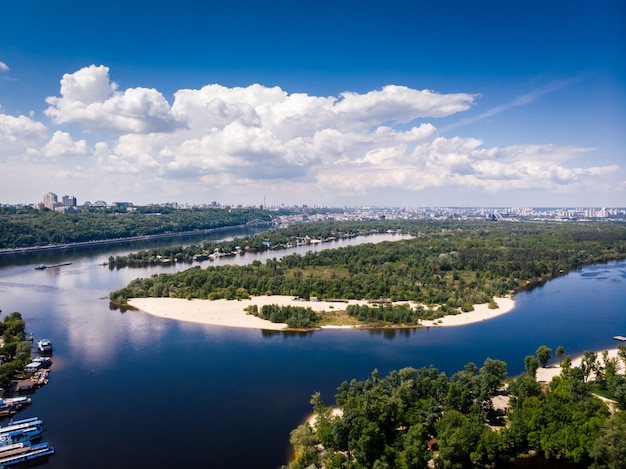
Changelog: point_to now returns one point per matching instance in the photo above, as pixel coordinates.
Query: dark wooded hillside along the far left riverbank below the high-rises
(27, 227)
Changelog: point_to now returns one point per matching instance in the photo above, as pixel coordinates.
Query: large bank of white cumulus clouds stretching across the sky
(233, 140)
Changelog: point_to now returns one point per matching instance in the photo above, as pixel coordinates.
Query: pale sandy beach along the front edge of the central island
(231, 312)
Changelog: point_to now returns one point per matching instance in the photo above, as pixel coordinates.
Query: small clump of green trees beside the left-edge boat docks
(15, 349)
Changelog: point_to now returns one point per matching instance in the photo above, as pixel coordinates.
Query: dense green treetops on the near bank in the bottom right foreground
(418, 418)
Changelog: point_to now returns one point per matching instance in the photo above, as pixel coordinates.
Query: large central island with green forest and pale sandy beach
(449, 272)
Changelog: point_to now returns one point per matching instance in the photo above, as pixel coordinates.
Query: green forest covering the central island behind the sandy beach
(450, 266)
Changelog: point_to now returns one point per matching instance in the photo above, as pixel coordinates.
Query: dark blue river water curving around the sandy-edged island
(131, 390)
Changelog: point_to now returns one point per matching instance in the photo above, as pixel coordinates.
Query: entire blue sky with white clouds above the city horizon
(395, 103)
